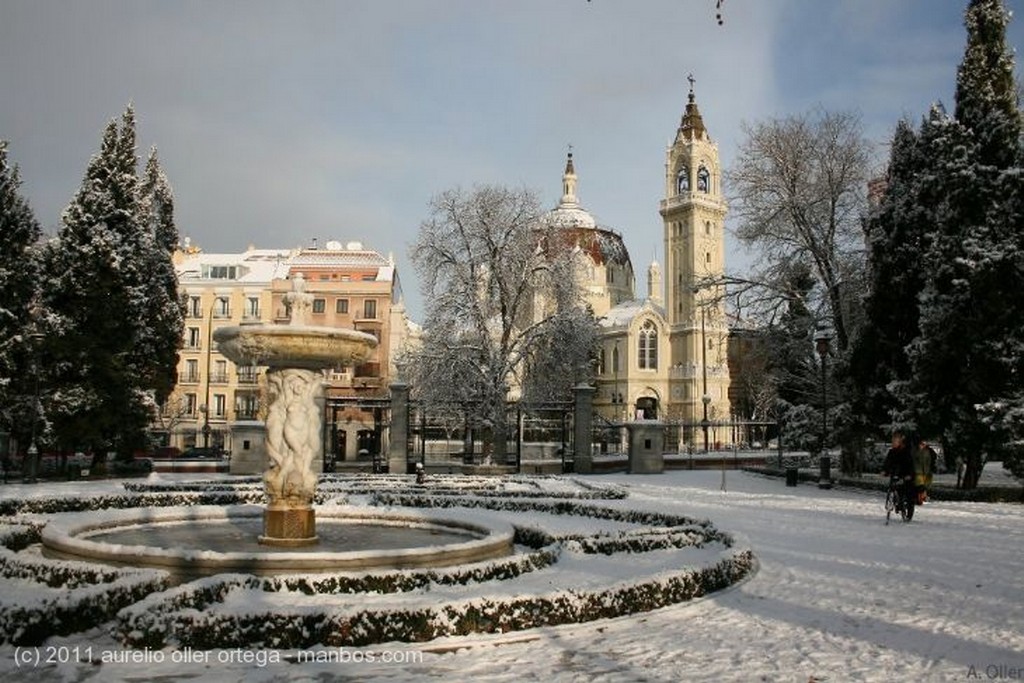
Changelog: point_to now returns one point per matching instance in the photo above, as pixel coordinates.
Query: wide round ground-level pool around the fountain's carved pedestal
(207, 540)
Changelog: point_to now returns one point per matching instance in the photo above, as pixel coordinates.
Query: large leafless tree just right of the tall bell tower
(799, 189)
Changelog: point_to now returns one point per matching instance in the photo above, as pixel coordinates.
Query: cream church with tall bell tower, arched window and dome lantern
(664, 356)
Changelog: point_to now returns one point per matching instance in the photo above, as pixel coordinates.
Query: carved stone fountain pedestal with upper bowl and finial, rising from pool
(295, 356)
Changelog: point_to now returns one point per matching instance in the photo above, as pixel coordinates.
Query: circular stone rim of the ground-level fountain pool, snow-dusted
(65, 534)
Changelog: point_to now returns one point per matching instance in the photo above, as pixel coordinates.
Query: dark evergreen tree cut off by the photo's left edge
(19, 237)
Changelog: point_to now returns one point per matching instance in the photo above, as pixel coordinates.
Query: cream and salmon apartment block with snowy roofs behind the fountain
(222, 406)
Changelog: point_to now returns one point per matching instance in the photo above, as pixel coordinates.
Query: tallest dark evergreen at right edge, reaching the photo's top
(966, 365)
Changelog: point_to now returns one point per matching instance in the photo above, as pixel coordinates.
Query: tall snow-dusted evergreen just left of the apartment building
(115, 318)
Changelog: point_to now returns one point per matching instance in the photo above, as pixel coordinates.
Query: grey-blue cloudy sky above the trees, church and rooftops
(278, 123)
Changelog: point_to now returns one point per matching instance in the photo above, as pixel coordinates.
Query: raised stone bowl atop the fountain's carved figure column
(294, 347)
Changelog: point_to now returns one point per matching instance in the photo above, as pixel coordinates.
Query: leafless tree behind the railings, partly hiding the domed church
(498, 286)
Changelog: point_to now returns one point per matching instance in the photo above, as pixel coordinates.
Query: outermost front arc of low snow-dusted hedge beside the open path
(190, 627)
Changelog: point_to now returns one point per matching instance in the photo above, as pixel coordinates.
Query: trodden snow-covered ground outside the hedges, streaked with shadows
(838, 596)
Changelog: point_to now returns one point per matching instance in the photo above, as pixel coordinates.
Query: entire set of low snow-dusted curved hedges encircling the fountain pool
(147, 614)
